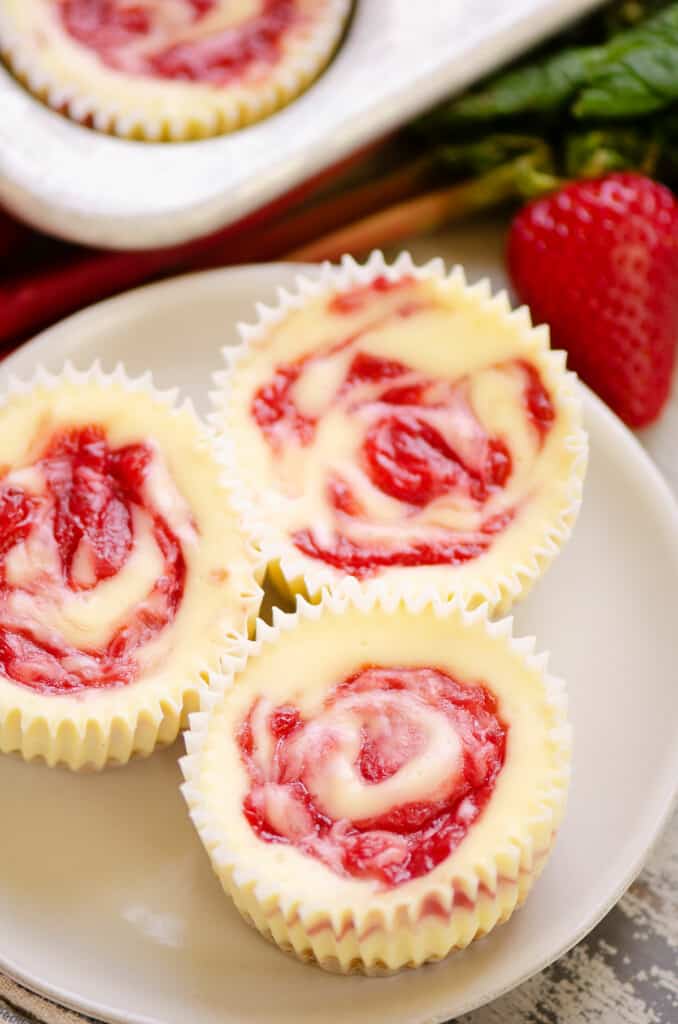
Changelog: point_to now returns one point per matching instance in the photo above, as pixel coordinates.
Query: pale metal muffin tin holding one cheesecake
(399, 59)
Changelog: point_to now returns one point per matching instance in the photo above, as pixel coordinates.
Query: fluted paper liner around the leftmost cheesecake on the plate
(96, 728)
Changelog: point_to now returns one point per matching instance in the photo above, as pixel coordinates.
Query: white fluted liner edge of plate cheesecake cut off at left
(115, 726)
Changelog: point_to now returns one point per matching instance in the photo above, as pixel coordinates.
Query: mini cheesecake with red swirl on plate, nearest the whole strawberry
(394, 424)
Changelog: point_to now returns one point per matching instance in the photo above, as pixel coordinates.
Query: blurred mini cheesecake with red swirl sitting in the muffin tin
(169, 69)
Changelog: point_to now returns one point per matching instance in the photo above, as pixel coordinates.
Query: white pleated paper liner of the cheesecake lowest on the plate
(422, 920)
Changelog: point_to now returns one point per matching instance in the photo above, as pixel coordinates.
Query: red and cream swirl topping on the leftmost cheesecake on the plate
(93, 566)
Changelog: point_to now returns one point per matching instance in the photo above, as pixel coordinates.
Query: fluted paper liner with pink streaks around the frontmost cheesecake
(370, 940)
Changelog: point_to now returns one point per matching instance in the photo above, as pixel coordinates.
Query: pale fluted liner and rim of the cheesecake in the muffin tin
(75, 83)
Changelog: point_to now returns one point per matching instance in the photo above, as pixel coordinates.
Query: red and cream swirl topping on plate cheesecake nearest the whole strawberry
(400, 465)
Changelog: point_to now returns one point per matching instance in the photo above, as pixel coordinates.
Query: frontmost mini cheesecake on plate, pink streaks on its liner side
(379, 785)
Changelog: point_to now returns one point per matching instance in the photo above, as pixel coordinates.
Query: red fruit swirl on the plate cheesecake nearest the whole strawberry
(423, 445)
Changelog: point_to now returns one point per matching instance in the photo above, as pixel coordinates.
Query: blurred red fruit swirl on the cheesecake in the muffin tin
(177, 41)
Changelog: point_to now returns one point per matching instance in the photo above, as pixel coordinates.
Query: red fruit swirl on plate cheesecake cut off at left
(77, 532)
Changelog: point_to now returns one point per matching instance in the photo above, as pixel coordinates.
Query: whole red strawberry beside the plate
(599, 262)
